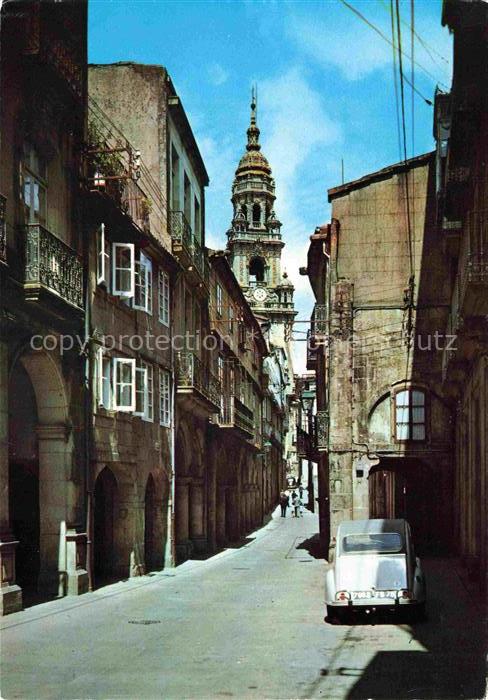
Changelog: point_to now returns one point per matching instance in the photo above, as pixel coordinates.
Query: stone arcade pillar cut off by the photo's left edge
(10, 593)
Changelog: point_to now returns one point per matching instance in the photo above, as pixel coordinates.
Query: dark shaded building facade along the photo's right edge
(461, 132)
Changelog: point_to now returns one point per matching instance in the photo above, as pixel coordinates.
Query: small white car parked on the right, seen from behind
(374, 566)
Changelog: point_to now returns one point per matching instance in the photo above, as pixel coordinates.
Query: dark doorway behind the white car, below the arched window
(402, 488)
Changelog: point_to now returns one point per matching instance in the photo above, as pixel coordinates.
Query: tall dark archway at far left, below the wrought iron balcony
(24, 508)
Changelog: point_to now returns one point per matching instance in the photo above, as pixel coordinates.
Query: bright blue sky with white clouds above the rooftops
(325, 84)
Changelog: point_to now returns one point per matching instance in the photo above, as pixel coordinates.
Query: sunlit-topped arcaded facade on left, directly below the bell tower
(249, 423)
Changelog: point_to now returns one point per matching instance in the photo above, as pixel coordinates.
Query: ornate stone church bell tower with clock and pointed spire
(255, 242)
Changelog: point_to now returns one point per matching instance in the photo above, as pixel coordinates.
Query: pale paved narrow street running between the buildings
(245, 623)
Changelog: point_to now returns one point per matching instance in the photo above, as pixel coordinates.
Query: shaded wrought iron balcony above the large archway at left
(51, 266)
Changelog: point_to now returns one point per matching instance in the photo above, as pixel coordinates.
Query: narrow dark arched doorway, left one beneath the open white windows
(104, 516)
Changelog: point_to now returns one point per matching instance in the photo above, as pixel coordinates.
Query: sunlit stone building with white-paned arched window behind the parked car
(382, 293)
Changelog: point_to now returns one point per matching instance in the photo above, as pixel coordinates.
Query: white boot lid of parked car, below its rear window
(358, 572)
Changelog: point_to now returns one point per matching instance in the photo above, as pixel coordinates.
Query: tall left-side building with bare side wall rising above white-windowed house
(151, 115)
